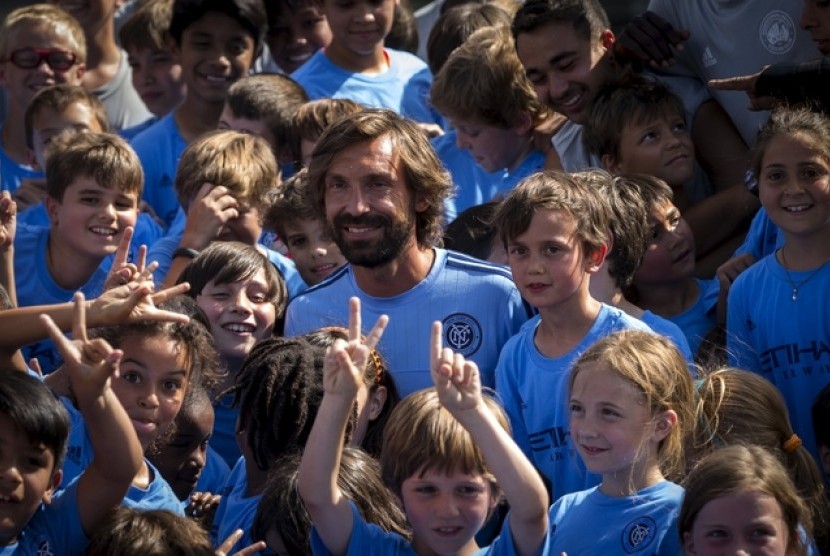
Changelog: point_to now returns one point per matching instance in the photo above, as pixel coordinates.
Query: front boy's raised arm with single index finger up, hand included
(458, 384)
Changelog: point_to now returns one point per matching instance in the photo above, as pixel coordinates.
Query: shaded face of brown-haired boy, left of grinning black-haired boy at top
(157, 78)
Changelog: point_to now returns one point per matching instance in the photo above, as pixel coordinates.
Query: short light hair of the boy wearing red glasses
(57, 19)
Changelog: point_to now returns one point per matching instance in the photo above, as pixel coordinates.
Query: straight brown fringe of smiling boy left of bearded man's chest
(225, 262)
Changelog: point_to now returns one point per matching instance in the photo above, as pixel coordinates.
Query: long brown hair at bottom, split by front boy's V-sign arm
(282, 510)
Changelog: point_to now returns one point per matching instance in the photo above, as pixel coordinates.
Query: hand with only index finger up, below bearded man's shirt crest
(457, 381)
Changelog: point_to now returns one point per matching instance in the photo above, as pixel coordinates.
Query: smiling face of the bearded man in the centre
(369, 207)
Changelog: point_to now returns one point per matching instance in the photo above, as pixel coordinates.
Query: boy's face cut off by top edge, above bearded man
(359, 26)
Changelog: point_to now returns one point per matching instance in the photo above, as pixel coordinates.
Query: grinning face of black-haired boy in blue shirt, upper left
(215, 51)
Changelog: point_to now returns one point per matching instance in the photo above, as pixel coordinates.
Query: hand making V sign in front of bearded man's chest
(345, 361)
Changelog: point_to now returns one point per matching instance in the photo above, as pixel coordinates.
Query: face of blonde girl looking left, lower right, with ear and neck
(615, 433)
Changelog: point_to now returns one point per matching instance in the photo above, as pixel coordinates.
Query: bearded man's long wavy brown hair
(424, 174)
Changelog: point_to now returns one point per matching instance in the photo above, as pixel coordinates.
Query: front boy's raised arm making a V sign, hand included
(317, 478)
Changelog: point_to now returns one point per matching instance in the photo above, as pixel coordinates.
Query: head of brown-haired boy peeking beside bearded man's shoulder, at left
(300, 227)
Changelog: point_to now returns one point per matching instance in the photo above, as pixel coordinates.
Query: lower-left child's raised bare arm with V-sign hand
(91, 364)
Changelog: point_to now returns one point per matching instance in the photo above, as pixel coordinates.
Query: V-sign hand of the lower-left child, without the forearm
(89, 363)
